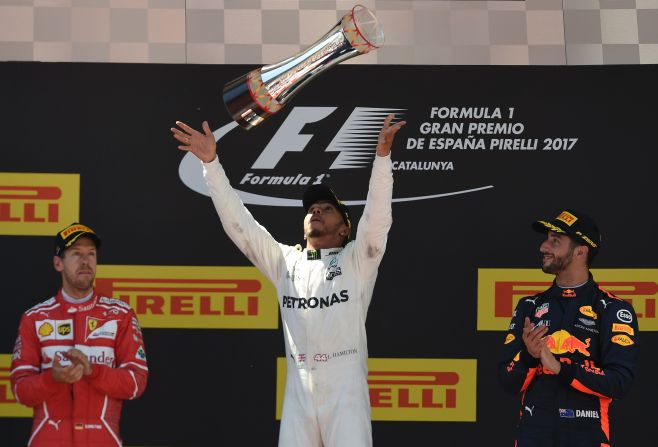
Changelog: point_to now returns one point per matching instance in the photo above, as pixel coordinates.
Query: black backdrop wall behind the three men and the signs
(110, 123)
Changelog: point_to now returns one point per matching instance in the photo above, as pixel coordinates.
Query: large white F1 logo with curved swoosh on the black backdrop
(315, 145)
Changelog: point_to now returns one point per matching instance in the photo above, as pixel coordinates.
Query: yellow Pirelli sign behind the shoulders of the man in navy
(499, 291)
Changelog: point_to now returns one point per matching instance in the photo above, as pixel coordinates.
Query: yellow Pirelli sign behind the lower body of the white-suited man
(413, 389)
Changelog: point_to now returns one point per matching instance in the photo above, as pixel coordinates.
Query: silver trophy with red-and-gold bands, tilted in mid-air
(259, 94)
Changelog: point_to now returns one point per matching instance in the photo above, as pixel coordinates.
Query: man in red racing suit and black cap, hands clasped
(79, 354)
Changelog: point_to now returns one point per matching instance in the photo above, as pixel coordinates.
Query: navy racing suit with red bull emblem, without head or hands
(594, 335)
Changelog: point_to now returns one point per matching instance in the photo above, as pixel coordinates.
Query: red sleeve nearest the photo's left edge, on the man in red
(30, 385)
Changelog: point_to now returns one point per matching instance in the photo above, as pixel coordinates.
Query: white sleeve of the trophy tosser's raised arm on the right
(372, 231)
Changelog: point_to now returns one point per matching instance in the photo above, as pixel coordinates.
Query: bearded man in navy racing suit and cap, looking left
(571, 349)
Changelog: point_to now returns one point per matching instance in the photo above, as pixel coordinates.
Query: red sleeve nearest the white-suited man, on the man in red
(128, 379)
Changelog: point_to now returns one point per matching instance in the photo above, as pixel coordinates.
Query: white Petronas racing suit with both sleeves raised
(324, 297)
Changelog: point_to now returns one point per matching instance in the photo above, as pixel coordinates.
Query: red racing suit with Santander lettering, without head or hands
(86, 413)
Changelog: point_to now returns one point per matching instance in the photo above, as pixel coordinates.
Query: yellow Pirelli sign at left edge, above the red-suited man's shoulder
(38, 204)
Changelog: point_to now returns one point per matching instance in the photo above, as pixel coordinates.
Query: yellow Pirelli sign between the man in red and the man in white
(193, 297)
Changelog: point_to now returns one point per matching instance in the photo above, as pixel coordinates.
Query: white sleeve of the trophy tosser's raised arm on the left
(253, 240)
